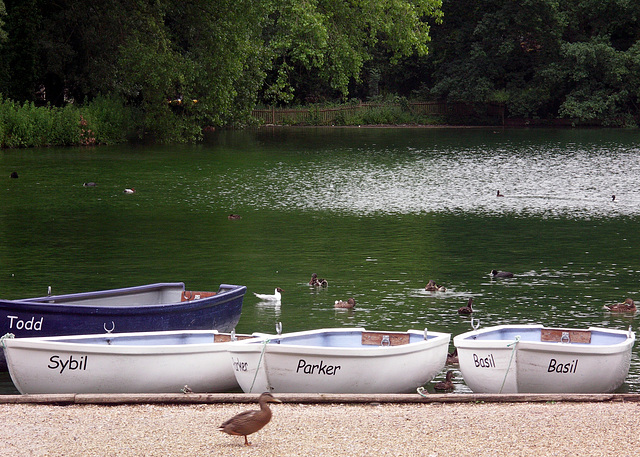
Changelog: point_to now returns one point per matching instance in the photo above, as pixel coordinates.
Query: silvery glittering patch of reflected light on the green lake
(548, 180)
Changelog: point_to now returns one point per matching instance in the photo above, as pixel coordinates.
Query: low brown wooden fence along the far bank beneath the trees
(328, 116)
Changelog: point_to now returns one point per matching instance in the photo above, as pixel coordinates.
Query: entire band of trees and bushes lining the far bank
(166, 69)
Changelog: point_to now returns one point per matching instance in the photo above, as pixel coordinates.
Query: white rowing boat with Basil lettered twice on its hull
(537, 359)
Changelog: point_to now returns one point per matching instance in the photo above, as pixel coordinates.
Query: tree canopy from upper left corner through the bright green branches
(222, 54)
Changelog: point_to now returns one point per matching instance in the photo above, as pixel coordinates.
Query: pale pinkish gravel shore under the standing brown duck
(433, 429)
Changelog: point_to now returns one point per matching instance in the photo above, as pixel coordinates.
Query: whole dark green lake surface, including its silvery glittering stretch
(378, 212)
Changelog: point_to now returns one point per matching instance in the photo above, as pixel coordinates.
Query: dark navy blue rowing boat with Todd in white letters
(151, 307)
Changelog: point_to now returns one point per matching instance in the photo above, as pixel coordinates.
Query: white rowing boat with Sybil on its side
(140, 362)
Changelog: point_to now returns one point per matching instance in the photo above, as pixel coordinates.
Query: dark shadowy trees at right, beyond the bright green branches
(543, 58)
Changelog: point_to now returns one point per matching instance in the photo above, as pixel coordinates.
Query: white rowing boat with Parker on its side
(340, 360)
